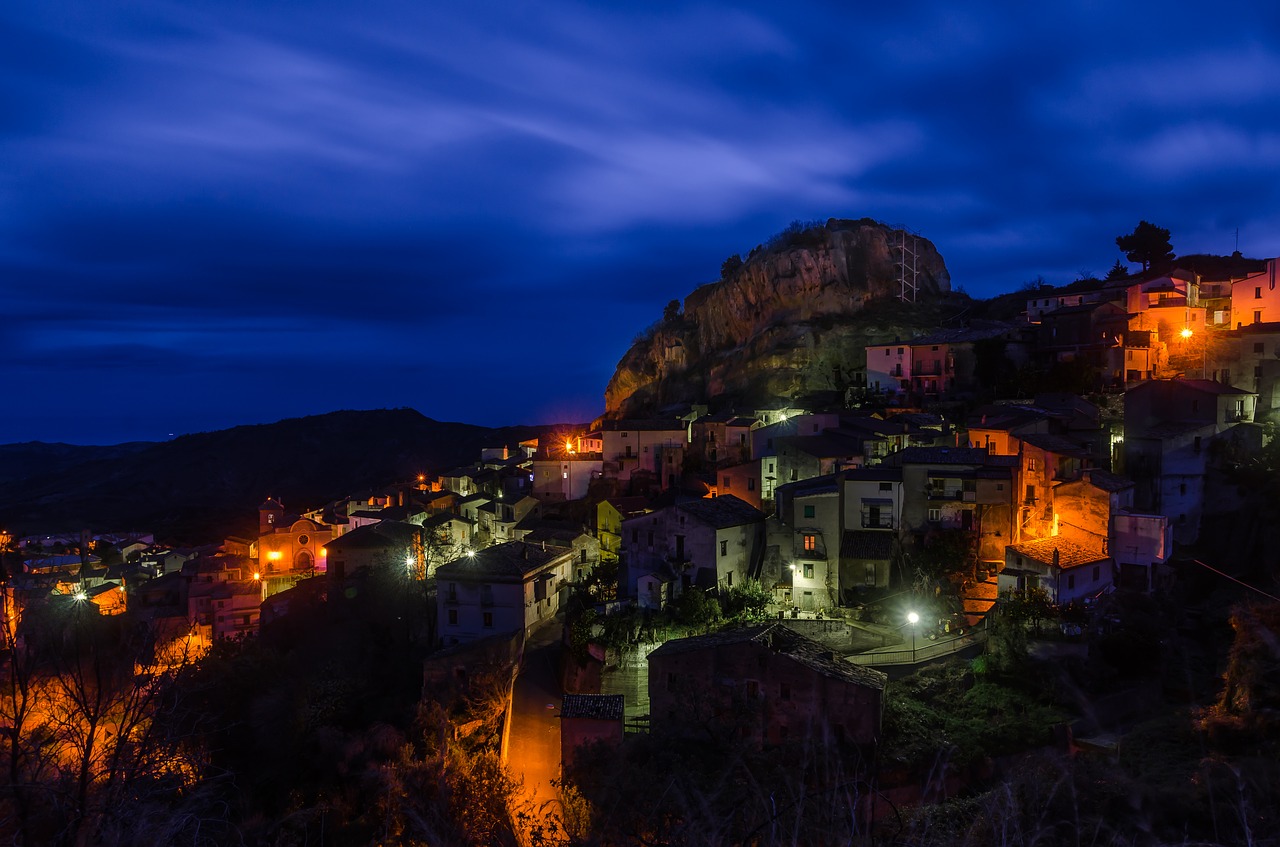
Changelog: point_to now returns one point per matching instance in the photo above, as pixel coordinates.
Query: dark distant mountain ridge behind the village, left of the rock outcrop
(200, 488)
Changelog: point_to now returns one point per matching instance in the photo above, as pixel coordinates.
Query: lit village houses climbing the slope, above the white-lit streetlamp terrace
(824, 509)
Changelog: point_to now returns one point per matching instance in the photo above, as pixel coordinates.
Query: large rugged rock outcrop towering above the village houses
(783, 324)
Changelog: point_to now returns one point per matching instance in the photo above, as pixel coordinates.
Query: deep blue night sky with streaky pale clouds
(231, 213)
